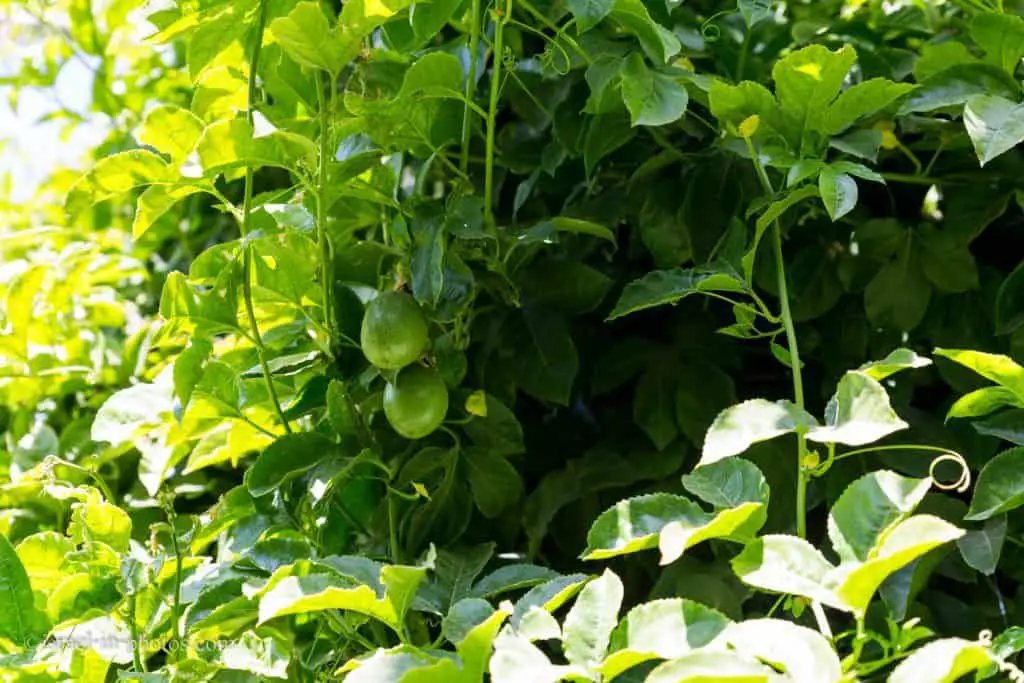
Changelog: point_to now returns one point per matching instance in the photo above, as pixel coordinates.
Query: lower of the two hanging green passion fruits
(416, 402)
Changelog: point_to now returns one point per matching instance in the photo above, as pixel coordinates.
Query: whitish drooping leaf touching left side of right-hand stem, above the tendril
(740, 428)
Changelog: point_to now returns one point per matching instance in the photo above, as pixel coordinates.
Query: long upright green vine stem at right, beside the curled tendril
(791, 338)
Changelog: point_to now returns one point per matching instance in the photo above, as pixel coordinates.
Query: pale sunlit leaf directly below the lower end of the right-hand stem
(788, 565)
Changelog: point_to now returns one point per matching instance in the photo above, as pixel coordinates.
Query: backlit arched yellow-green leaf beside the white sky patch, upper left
(117, 175)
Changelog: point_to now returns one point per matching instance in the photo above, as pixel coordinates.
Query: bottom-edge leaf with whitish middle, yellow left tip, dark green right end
(661, 630)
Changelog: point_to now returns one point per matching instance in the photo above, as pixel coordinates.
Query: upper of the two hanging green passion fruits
(395, 331)
